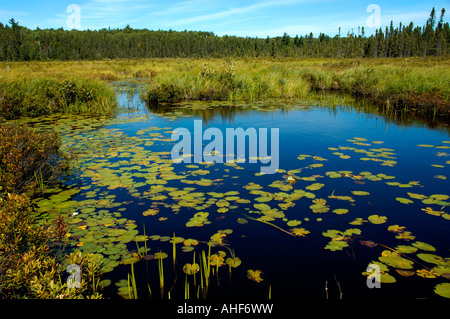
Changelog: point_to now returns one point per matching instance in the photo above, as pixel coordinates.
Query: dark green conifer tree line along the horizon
(18, 43)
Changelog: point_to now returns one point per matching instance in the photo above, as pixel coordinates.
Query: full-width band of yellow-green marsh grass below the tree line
(416, 86)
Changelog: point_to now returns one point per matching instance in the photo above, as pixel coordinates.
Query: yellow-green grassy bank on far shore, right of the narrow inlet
(418, 87)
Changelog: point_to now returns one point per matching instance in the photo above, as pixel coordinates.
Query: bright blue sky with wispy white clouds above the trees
(260, 18)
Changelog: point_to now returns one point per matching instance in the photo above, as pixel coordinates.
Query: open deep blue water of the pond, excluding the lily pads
(295, 267)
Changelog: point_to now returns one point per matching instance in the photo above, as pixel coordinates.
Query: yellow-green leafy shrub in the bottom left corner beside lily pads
(29, 264)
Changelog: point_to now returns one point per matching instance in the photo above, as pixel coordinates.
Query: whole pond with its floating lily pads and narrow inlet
(358, 208)
